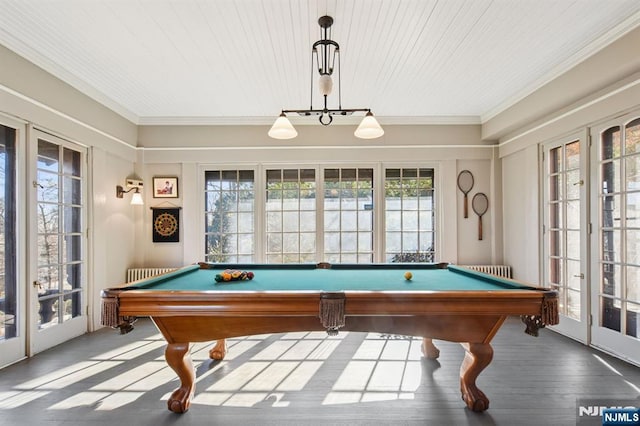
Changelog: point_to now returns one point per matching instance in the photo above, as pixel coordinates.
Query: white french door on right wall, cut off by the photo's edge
(616, 262)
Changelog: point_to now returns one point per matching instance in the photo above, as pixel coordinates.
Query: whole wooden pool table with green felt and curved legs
(440, 301)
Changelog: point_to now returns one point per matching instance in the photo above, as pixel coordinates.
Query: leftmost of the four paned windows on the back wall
(229, 216)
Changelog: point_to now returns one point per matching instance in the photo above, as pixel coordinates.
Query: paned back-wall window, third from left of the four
(348, 215)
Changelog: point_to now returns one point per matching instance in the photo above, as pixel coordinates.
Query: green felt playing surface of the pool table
(271, 278)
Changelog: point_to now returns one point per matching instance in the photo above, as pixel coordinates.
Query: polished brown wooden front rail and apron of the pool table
(288, 309)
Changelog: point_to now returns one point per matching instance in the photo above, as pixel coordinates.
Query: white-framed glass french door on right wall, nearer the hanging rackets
(565, 191)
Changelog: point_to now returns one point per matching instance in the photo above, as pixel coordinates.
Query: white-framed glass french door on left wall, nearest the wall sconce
(58, 278)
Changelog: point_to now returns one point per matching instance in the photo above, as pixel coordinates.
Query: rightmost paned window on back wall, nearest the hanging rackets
(409, 215)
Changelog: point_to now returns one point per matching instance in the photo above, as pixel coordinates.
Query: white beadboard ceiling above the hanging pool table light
(242, 61)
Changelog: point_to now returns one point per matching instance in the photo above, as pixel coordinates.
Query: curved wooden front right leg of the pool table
(477, 357)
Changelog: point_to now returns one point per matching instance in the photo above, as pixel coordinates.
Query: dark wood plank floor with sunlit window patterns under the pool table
(311, 379)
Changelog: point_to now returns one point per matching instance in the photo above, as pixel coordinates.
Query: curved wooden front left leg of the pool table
(179, 359)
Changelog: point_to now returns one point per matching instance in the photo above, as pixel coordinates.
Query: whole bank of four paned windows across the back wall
(319, 214)
